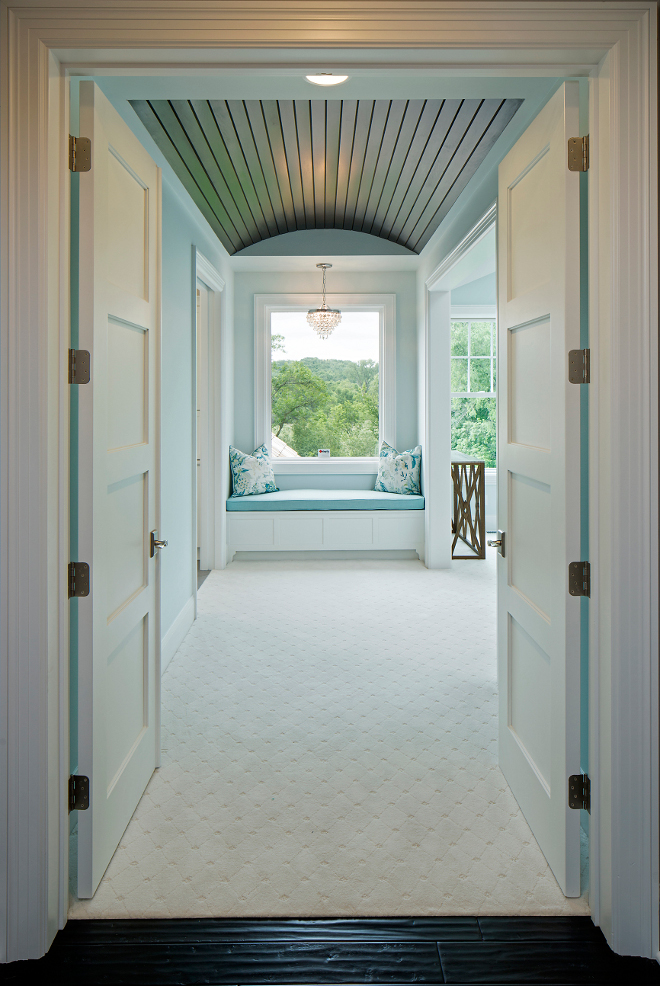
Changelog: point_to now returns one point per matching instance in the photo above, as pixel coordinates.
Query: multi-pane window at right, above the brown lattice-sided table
(473, 386)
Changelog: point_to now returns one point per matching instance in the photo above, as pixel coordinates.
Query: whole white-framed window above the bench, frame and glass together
(338, 393)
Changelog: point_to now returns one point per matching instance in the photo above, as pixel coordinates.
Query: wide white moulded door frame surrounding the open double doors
(615, 42)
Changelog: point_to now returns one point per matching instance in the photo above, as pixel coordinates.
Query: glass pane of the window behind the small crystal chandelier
(325, 392)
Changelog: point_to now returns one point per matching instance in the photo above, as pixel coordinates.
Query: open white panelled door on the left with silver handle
(119, 633)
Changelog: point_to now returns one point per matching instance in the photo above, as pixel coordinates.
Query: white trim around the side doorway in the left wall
(214, 476)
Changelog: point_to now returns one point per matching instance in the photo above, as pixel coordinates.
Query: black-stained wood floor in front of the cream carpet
(377, 950)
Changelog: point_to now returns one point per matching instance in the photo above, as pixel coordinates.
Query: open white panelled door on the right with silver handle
(538, 480)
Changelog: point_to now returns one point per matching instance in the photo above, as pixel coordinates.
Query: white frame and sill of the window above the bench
(264, 306)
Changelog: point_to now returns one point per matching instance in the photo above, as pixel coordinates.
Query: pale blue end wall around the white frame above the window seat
(401, 283)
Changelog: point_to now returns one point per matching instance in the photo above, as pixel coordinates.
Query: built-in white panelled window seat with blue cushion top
(325, 520)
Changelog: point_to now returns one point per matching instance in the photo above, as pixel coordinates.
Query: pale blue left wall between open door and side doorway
(183, 231)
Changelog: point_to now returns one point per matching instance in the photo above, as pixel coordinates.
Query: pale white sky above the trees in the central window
(356, 337)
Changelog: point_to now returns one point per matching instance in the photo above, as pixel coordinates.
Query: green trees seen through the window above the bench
(326, 404)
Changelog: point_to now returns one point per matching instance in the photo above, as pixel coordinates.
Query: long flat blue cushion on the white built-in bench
(326, 500)
